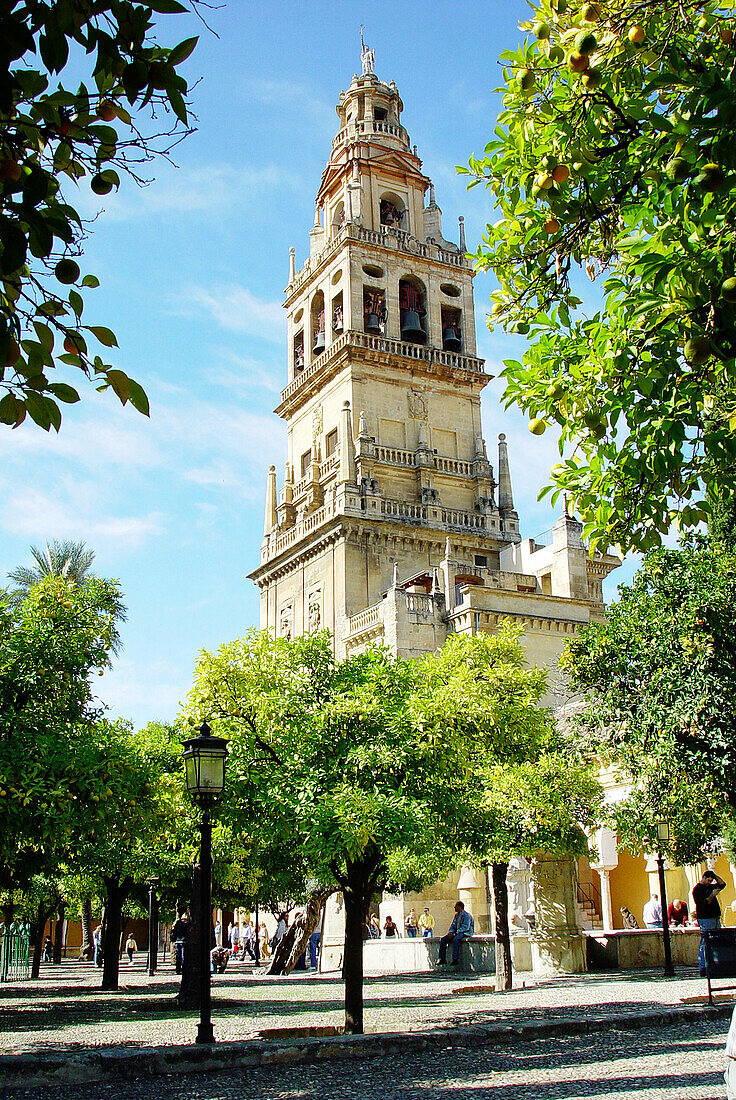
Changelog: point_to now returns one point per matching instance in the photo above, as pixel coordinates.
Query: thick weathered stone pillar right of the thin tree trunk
(558, 945)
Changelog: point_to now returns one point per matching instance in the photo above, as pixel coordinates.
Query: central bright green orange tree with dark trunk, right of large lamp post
(368, 771)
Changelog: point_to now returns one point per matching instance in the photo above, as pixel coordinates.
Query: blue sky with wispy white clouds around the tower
(193, 270)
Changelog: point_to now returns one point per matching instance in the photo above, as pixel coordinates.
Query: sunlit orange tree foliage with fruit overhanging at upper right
(614, 156)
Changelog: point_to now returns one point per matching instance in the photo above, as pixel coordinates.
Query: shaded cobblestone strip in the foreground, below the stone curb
(677, 1063)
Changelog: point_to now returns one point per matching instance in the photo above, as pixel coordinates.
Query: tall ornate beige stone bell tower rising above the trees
(389, 503)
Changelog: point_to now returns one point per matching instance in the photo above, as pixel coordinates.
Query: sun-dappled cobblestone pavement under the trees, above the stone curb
(68, 1011)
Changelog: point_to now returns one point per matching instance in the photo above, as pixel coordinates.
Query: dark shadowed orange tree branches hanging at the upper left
(56, 135)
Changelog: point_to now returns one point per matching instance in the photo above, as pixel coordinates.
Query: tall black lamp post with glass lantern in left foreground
(204, 761)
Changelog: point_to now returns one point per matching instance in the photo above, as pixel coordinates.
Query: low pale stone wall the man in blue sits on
(478, 955)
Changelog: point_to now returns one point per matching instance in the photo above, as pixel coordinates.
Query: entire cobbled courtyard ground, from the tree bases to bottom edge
(579, 1037)
